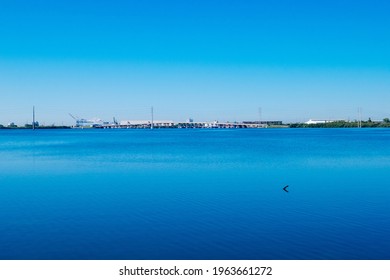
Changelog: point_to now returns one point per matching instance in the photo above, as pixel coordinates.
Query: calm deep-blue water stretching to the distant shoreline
(195, 194)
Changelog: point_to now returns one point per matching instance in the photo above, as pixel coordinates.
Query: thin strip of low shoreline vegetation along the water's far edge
(331, 124)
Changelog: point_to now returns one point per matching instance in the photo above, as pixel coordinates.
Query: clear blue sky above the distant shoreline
(209, 60)
